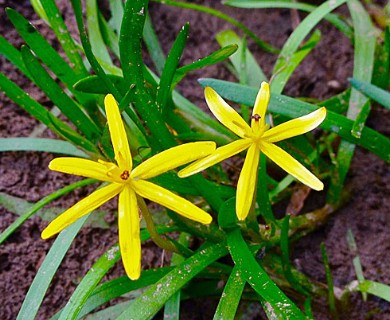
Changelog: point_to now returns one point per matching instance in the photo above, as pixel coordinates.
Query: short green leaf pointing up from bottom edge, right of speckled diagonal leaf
(231, 296)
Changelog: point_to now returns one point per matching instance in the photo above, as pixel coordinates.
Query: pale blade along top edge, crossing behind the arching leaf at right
(256, 4)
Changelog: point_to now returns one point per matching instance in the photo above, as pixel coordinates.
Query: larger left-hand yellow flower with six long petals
(128, 183)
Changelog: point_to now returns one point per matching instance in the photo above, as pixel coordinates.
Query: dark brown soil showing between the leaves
(25, 174)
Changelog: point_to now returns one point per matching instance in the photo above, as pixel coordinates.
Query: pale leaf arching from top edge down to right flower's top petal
(297, 37)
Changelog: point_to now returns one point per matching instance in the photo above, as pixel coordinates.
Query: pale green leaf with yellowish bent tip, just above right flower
(254, 74)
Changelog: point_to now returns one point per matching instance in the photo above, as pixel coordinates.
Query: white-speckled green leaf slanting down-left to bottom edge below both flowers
(147, 305)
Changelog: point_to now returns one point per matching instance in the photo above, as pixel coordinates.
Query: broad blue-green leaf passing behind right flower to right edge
(293, 108)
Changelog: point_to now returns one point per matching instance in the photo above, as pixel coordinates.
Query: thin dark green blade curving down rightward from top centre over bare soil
(265, 46)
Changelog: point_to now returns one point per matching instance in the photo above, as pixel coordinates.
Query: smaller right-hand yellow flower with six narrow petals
(256, 138)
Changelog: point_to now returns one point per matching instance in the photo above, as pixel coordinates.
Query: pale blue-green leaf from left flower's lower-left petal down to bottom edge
(48, 269)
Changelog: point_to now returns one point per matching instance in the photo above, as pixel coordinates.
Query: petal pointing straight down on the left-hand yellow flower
(129, 233)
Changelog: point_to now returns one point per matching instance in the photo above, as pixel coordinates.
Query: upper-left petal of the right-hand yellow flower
(226, 114)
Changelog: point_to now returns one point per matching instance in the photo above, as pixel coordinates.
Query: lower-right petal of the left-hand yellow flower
(171, 201)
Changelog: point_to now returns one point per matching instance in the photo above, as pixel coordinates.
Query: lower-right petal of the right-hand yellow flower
(292, 166)
